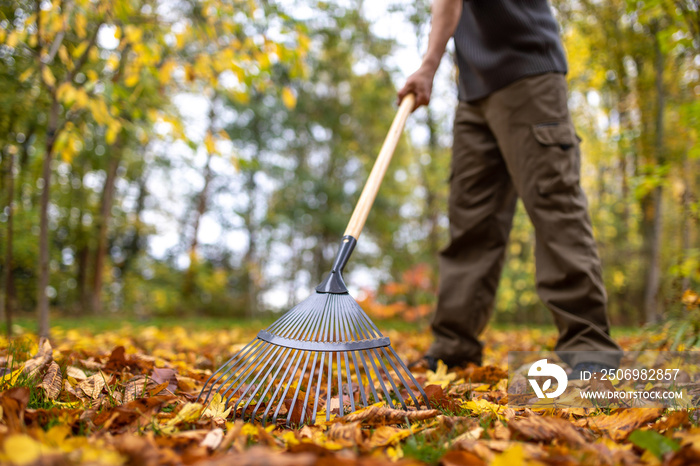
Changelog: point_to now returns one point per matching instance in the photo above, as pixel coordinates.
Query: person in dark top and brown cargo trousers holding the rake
(513, 138)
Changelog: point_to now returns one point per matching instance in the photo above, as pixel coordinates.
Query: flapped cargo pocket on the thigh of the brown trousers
(559, 157)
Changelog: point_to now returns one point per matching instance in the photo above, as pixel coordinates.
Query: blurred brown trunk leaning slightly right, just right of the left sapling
(102, 229)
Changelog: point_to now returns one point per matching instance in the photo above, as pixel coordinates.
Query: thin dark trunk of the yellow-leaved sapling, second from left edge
(43, 281)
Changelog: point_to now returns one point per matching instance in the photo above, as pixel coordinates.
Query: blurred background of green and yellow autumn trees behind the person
(202, 157)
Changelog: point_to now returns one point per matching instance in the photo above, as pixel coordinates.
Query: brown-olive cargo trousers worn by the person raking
(519, 142)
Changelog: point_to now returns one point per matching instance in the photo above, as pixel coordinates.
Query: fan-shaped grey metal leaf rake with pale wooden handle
(325, 352)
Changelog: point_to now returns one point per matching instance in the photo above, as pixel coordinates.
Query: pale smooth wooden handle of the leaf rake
(369, 192)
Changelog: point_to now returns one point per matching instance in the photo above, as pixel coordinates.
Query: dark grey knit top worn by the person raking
(500, 41)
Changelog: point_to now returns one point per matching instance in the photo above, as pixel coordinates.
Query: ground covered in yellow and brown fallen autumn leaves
(128, 396)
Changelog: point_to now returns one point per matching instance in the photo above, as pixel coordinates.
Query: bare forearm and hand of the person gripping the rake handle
(445, 16)
